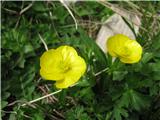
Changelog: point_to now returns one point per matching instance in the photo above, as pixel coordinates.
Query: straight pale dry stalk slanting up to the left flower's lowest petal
(38, 99)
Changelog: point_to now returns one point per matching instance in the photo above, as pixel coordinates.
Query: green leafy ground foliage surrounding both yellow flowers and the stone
(121, 92)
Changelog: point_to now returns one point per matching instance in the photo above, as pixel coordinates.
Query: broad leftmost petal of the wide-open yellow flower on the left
(49, 62)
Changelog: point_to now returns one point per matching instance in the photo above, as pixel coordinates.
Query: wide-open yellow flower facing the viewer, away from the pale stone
(62, 65)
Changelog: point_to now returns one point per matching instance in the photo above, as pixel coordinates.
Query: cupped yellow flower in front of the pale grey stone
(127, 50)
